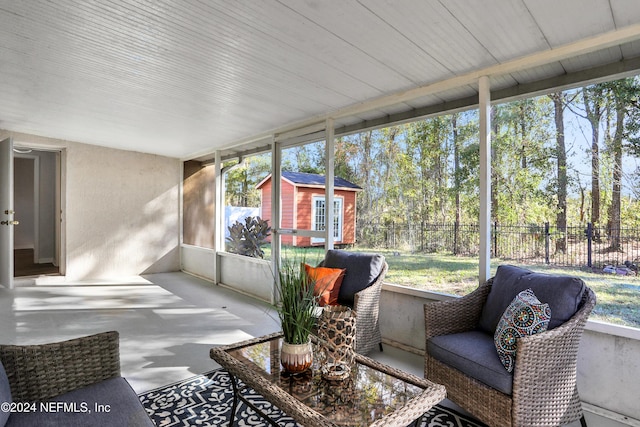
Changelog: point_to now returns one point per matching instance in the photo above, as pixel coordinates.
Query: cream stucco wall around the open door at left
(121, 209)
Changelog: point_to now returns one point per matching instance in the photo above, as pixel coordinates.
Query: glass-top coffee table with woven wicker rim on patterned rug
(373, 395)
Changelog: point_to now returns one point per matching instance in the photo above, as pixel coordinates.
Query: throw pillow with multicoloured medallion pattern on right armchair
(526, 315)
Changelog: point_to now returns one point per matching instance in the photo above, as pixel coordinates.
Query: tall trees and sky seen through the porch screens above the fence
(568, 157)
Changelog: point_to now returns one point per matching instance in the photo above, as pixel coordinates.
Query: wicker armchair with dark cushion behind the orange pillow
(360, 290)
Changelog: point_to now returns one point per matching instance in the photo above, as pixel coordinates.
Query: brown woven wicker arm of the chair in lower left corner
(40, 372)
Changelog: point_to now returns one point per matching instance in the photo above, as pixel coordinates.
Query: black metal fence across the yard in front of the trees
(578, 246)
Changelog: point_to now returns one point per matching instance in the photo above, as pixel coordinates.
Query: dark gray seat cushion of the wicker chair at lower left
(123, 403)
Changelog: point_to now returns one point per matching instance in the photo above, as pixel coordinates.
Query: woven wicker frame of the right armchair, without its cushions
(544, 391)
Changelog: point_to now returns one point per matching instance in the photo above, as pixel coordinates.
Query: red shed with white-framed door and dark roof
(303, 206)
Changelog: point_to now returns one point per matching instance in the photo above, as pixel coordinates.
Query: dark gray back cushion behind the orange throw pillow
(362, 270)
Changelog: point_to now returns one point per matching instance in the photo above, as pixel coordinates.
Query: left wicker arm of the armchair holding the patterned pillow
(456, 315)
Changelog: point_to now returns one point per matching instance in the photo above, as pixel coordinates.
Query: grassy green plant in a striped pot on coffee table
(296, 307)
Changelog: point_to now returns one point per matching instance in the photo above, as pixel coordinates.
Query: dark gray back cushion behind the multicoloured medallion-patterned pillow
(562, 293)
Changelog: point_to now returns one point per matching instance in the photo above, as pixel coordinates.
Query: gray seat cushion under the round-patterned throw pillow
(473, 353)
